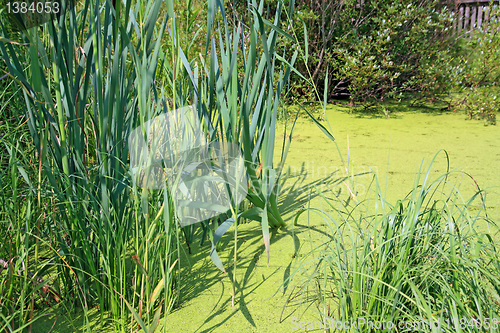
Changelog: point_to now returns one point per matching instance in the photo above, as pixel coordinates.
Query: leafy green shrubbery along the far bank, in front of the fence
(389, 50)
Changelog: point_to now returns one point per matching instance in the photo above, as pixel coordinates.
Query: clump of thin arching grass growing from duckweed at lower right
(426, 263)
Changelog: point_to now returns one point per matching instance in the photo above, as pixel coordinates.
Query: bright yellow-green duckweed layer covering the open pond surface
(393, 148)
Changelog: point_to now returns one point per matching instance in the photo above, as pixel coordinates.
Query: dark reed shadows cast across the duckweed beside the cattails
(199, 274)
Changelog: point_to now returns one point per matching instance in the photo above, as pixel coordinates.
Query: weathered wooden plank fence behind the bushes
(471, 14)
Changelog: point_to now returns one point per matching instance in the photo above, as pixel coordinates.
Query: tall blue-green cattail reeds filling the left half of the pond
(88, 81)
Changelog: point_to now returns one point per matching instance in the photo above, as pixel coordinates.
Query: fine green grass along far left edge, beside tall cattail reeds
(18, 286)
